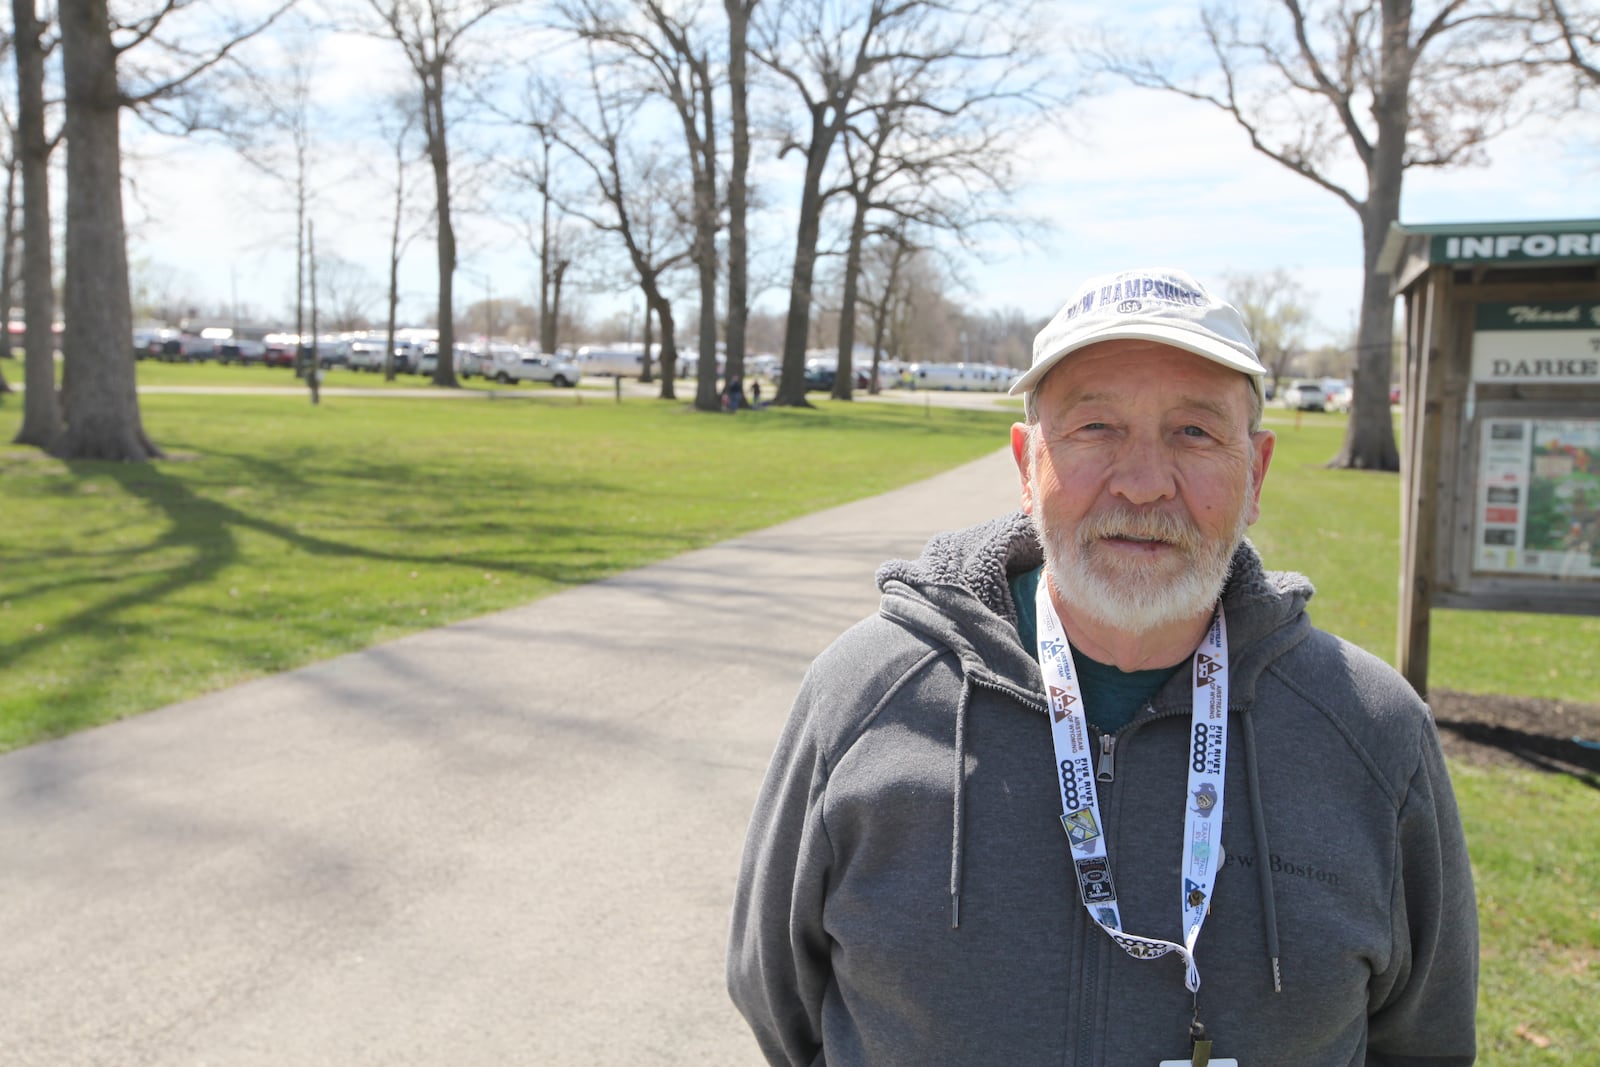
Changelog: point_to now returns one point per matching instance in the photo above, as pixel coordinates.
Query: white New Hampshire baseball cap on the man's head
(1150, 305)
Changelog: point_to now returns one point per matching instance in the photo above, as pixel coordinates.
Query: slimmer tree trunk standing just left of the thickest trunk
(41, 407)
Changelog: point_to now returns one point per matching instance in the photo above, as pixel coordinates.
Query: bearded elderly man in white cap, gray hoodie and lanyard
(1090, 788)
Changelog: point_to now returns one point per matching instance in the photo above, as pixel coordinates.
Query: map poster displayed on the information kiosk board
(1538, 510)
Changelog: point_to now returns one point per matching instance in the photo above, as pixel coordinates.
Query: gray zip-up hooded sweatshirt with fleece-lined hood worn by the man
(908, 892)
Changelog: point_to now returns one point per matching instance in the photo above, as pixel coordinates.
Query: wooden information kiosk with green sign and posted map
(1500, 458)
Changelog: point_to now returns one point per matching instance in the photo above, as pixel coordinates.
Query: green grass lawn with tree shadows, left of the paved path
(282, 533)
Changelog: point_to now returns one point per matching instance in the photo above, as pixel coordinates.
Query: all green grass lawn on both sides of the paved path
(282, 533)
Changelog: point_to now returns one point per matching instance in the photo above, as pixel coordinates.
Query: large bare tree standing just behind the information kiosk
(1380, 84)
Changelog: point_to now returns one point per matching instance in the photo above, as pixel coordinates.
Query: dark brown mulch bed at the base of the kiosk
(1519, 732)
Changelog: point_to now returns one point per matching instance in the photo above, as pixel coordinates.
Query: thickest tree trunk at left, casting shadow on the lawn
(100, 396)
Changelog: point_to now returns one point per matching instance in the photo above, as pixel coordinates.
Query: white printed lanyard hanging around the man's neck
(1081, 805)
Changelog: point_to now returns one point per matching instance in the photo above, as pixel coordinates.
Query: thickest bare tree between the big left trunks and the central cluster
(433, 34)
